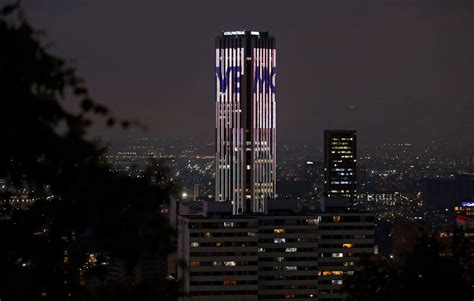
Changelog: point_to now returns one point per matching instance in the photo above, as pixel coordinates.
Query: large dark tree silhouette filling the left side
(81, 207)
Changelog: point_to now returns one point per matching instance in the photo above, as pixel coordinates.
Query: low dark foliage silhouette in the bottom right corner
(423, 274)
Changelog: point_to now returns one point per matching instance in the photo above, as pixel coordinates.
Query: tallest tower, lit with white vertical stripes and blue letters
(245, 119)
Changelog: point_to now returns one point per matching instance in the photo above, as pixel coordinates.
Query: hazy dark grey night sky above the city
(396, 71)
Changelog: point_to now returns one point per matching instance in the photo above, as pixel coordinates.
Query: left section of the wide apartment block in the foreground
(221, 256)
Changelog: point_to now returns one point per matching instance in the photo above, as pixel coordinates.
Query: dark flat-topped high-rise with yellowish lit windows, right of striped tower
(340, 162)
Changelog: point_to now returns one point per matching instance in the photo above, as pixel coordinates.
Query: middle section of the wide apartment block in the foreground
(288, 257)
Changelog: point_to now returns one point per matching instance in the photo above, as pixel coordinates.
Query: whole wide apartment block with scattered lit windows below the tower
(280, 255)
